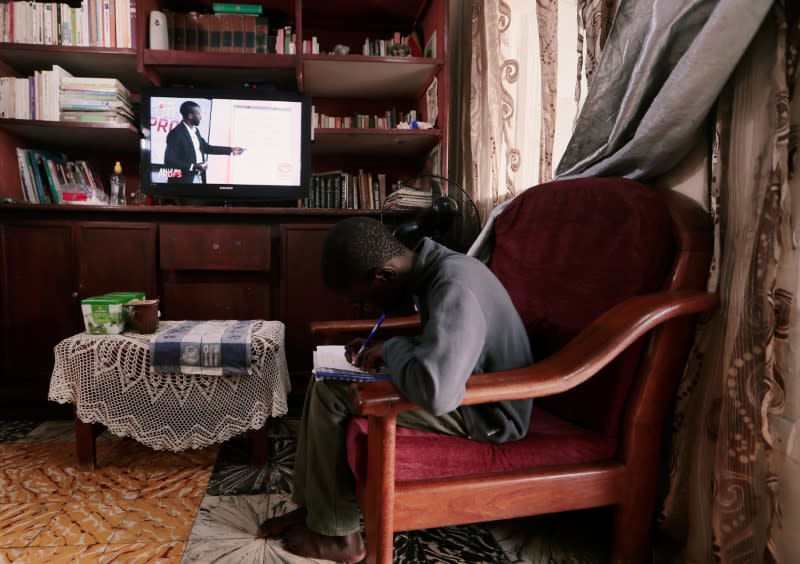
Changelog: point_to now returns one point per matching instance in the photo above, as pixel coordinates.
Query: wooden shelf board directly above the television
(202, 68)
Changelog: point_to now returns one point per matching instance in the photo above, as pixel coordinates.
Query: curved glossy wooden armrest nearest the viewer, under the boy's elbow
(580, 359)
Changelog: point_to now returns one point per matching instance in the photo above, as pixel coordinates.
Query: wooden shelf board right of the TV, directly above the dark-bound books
(374, 142)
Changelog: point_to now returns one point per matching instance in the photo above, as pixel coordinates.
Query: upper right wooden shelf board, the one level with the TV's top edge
(360, 76)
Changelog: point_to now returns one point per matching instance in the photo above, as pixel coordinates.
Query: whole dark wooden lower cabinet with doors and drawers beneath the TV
(256, 263)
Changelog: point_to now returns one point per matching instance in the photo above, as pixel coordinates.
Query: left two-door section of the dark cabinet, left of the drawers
(47, 268)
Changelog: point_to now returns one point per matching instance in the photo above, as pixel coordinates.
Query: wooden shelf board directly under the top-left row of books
(79, 61)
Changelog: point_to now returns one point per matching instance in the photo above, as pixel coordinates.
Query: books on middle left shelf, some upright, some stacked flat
(57, 95)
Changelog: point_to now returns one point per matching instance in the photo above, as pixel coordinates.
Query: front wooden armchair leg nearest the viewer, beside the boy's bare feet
(379, 510)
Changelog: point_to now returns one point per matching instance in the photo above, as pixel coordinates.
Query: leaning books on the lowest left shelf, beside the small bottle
(51, 178)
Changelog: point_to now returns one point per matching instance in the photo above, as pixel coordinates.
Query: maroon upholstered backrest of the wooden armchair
(569, 250)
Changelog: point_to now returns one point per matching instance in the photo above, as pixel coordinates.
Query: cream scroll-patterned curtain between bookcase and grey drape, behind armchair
(529, 69)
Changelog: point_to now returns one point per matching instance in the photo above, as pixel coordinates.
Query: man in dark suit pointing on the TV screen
(187, 150)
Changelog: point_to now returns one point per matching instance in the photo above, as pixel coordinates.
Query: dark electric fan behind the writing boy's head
(446, 213)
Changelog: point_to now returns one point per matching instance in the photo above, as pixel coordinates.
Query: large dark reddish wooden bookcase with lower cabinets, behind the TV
(91, 250)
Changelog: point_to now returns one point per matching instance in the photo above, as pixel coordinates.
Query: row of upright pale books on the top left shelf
(96, 23)
